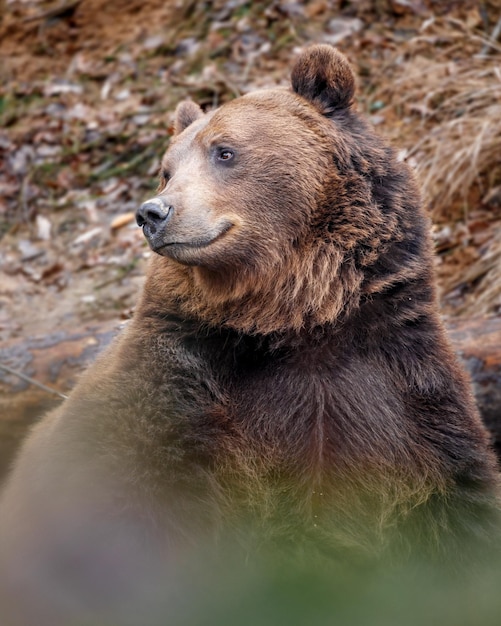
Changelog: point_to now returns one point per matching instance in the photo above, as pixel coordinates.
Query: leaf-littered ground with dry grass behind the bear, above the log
(87, 92)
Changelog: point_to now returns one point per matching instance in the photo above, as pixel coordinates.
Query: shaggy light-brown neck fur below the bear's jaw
(306, 290)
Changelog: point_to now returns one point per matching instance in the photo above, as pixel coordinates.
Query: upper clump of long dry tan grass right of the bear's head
(456, 145)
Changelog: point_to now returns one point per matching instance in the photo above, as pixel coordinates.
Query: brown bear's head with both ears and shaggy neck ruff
(272, 207)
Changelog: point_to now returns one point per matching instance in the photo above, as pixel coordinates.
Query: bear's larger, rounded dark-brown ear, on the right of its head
(323, 76)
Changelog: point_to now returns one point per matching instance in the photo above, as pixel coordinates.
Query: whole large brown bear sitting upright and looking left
(286, 376)
